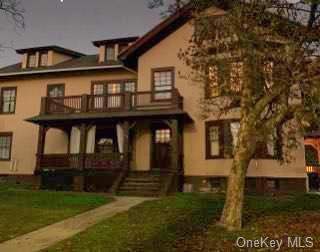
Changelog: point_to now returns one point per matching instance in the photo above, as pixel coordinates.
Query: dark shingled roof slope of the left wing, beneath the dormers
(82, 62)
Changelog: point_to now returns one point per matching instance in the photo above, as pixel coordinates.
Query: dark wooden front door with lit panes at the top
(161, 157)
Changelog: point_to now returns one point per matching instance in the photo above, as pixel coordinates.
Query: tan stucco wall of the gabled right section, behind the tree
(165, 54)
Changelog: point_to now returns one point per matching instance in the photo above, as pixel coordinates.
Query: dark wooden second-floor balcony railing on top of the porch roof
(112, 102)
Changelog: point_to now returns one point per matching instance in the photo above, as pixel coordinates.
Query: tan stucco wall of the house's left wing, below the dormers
(25, 135)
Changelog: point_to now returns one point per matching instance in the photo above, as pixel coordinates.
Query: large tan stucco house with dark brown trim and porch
(124, 120)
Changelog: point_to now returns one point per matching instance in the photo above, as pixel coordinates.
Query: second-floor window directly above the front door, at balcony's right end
(163, 81)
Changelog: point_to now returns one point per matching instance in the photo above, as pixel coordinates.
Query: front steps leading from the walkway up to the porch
(141, 184)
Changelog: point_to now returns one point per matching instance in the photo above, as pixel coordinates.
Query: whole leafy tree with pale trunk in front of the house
(260, 59)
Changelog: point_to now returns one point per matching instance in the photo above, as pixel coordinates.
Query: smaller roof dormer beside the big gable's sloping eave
(110, 49)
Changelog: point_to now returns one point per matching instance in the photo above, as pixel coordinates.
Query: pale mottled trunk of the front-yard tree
(232, 212)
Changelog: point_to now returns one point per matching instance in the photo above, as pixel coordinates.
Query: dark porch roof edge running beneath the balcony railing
(110, 116)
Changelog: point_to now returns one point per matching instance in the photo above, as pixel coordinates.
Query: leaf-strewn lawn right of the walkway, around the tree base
(186, 222)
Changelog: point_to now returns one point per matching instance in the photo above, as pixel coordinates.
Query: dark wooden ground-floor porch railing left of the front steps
(95, 161)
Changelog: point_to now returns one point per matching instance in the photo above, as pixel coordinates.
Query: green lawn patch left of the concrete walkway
(24, 210)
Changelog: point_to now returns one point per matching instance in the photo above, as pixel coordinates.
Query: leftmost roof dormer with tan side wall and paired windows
(46, 56)
